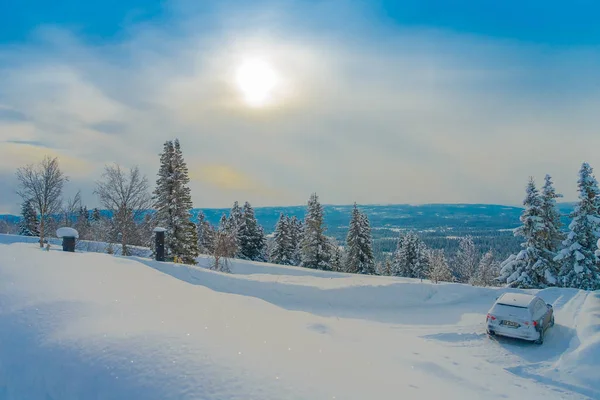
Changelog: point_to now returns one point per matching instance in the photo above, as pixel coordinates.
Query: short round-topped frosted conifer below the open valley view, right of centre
(411, 259)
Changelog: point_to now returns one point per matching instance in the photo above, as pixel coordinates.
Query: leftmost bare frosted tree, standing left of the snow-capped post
(42, 183)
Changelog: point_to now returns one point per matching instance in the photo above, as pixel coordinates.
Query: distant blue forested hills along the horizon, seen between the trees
(439, 225)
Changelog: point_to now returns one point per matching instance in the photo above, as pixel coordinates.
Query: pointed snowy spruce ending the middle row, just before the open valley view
(359, 248)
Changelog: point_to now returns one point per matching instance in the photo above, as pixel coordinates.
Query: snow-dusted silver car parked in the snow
(520, 316)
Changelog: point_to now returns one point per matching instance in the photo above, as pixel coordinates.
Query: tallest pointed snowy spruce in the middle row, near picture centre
(314, 246)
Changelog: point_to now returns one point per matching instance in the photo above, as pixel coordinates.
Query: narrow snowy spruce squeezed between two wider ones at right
(552, 234)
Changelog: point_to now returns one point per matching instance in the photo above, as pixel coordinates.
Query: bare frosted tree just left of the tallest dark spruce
(127, 196)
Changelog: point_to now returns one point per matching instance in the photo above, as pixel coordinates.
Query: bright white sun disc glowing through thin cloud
(256, 79)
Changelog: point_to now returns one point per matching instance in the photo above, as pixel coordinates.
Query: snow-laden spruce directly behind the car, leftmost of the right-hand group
(527, 269)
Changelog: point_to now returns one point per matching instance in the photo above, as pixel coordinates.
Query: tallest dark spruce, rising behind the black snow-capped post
(173, 203)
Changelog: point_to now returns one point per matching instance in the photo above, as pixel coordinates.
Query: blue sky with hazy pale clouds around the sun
(375, 101)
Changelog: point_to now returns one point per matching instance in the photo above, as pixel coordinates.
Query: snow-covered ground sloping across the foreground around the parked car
(95, 326)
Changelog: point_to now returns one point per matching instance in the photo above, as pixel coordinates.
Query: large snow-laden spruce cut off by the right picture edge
(579, 264)
